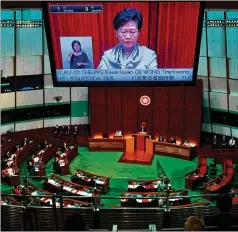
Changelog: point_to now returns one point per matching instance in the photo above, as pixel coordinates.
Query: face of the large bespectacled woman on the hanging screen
(128, 34)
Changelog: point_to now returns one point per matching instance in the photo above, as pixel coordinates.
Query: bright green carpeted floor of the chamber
(106, 164)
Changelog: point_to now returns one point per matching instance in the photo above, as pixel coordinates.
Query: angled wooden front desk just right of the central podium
(175, 150)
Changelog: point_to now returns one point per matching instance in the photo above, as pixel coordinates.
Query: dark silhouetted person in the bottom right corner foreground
(223, 220)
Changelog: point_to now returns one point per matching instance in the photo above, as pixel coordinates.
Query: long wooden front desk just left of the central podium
(117, 144)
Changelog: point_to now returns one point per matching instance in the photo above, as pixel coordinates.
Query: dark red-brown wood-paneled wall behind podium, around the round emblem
(174, 111)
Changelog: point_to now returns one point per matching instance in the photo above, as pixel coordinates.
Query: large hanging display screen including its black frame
(123, 43)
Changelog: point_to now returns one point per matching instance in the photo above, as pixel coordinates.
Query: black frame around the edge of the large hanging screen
(121, 83)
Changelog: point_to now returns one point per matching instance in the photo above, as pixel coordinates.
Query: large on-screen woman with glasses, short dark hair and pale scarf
(128, 54)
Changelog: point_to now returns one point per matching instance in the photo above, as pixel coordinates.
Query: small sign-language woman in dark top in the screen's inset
(77, 59)
